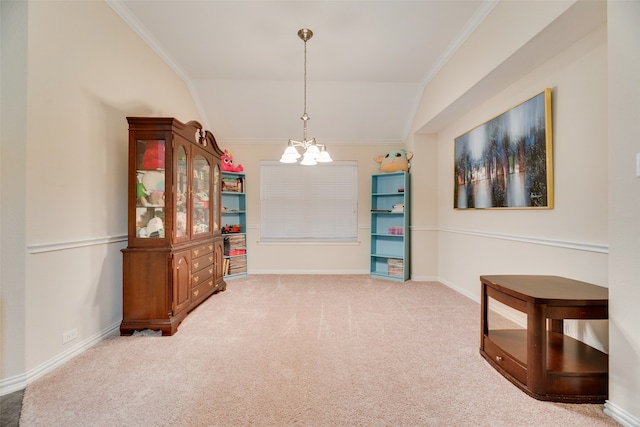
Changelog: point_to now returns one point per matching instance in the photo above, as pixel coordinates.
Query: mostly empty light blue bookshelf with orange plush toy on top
(390, 226)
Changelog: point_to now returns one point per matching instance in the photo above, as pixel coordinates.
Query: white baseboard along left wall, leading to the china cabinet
(19, 382)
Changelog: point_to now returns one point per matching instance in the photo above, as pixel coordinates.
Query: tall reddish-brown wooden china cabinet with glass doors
(173, 260)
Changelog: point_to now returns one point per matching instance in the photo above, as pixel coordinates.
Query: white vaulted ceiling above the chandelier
(367, 62)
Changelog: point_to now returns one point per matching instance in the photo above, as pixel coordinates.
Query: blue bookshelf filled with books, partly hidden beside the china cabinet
(234, 225)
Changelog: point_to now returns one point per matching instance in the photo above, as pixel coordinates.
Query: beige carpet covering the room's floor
(296, 350)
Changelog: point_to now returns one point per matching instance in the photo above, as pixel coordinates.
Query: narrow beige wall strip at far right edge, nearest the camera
(624, 209)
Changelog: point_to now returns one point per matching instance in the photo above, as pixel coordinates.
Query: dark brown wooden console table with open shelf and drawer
(541, 360)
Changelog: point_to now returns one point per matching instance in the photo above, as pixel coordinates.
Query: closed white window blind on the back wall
(309, 202)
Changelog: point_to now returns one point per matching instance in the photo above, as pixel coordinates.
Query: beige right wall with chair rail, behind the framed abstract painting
(568, 240)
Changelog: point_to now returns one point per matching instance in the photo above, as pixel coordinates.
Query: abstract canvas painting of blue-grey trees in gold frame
(506, 162)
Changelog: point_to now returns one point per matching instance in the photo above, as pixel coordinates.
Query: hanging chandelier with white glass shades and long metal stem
(313, 152)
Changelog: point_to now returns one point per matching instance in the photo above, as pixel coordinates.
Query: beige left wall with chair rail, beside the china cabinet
(85, 70)
